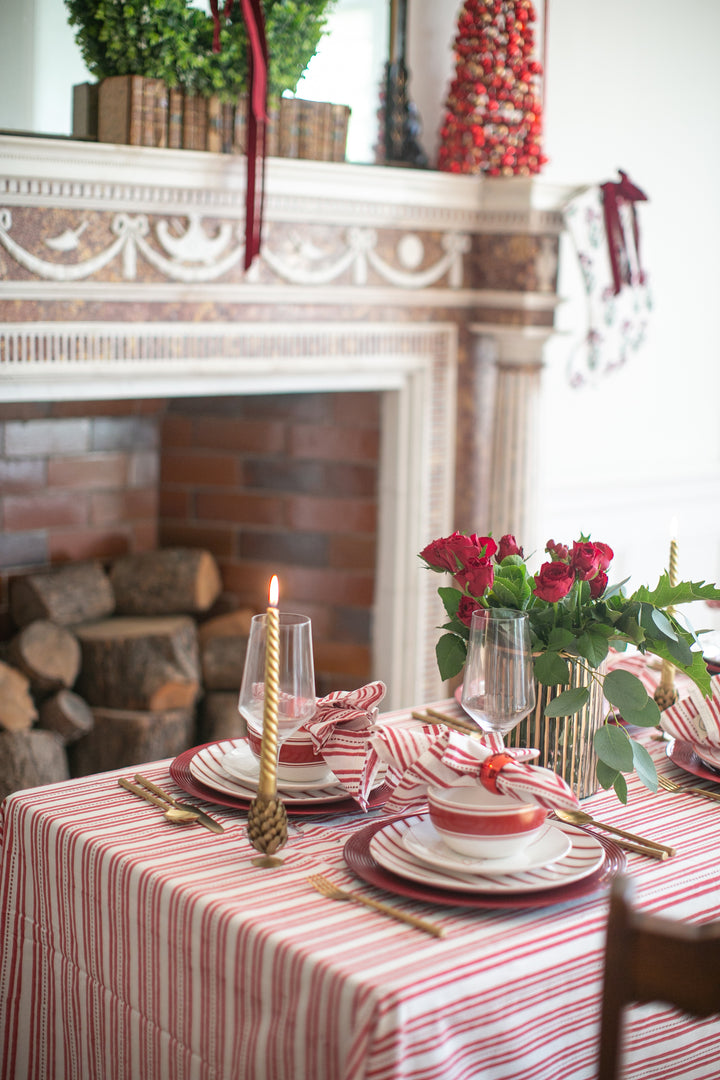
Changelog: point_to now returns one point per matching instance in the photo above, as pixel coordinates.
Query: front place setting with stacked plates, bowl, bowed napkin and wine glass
(474, 822)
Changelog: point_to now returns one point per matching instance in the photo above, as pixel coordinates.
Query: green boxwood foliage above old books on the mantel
(172, 40)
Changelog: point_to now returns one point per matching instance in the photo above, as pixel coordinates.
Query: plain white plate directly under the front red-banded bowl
(426, 844)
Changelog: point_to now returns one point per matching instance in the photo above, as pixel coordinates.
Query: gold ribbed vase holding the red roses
(566, 742)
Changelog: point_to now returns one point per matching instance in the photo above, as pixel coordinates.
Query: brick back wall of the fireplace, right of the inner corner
(288, 485)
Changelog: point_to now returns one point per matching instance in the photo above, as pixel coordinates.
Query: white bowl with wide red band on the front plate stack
(473, 821)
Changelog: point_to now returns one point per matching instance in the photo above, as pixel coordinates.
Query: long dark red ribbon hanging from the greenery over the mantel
(257, 118)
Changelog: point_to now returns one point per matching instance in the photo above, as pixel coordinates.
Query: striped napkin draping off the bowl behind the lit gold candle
(342, 731)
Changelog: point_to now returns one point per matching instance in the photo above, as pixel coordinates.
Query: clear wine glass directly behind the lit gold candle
(297, 674)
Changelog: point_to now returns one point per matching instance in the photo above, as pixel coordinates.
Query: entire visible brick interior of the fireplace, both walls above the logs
(279, 484)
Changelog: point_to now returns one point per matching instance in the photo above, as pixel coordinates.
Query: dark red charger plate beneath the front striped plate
(360, 860)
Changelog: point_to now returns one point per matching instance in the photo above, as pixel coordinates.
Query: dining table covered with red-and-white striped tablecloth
(138, 949)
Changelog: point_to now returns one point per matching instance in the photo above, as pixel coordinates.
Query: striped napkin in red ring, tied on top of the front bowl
(425, 759)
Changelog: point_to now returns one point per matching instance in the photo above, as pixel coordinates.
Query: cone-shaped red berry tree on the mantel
(494, 118)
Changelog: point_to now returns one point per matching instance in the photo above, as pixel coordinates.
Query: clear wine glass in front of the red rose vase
(499, 685)
